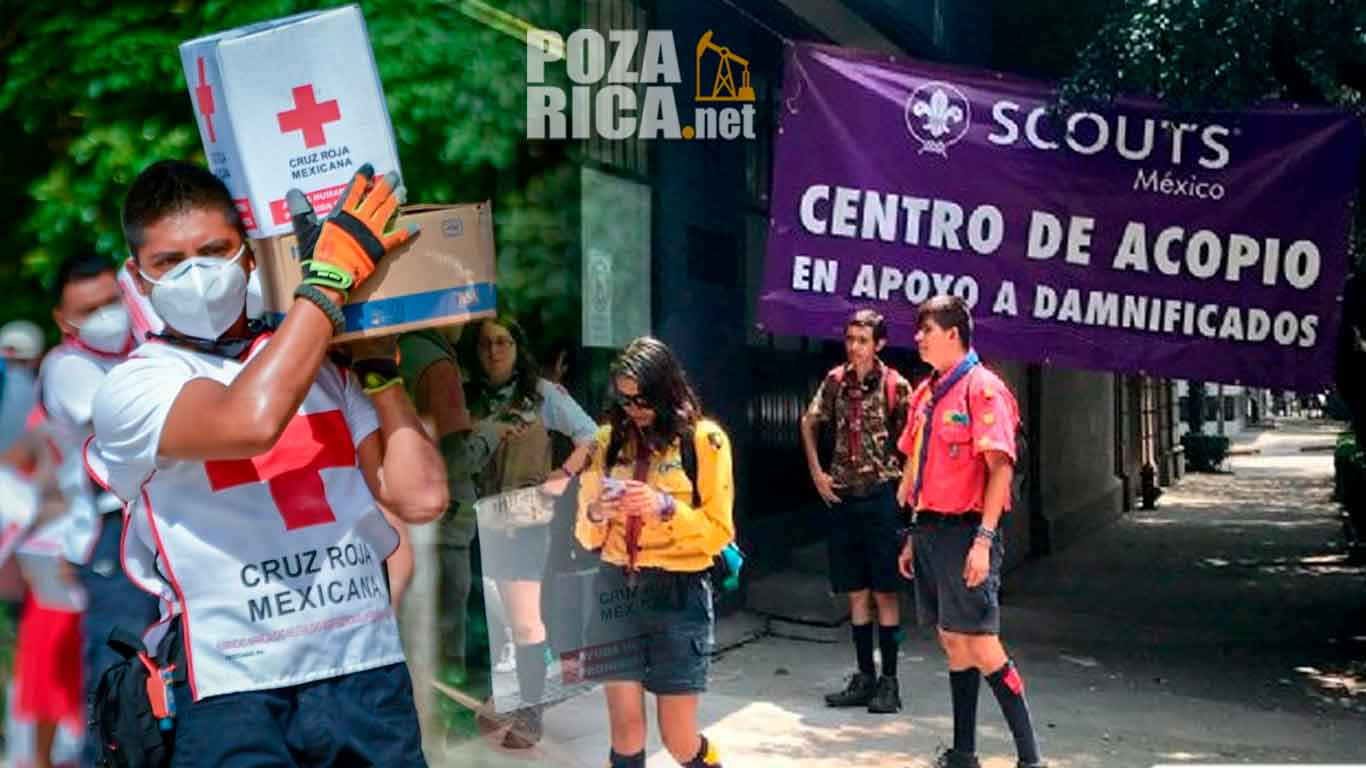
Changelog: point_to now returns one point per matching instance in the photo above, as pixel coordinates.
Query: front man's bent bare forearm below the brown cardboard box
(412, 472)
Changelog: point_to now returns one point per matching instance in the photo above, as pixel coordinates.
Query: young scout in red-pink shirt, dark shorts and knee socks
(960, 442)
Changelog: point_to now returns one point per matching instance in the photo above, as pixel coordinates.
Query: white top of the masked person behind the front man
(68, 382)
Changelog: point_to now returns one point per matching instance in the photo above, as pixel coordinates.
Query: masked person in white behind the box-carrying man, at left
(95, 338)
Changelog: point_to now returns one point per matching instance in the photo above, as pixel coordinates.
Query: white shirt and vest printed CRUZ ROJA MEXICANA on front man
(275, 562)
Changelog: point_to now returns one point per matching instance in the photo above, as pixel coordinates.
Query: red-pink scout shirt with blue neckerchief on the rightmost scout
(975, 416)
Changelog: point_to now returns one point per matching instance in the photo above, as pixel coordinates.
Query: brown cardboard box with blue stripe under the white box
(443, 277)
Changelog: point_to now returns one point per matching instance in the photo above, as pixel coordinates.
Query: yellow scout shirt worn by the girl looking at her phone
(685, 543)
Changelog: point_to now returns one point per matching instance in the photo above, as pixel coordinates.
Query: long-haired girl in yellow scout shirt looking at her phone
(659, 535)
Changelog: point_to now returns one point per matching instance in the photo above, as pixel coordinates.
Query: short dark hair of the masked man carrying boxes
(173, 187)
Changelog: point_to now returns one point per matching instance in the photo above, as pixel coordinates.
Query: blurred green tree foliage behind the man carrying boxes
(91, 96)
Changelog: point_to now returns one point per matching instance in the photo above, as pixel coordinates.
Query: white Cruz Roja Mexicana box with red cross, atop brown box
(289, 103)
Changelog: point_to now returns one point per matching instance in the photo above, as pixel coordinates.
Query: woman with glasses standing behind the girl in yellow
(514, 412)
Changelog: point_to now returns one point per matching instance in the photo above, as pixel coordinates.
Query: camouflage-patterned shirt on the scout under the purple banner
(864, 424)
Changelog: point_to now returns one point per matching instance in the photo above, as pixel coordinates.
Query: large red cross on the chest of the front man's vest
(309, 445)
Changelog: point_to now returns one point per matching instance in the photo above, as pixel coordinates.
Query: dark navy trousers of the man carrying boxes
(360, 719)
